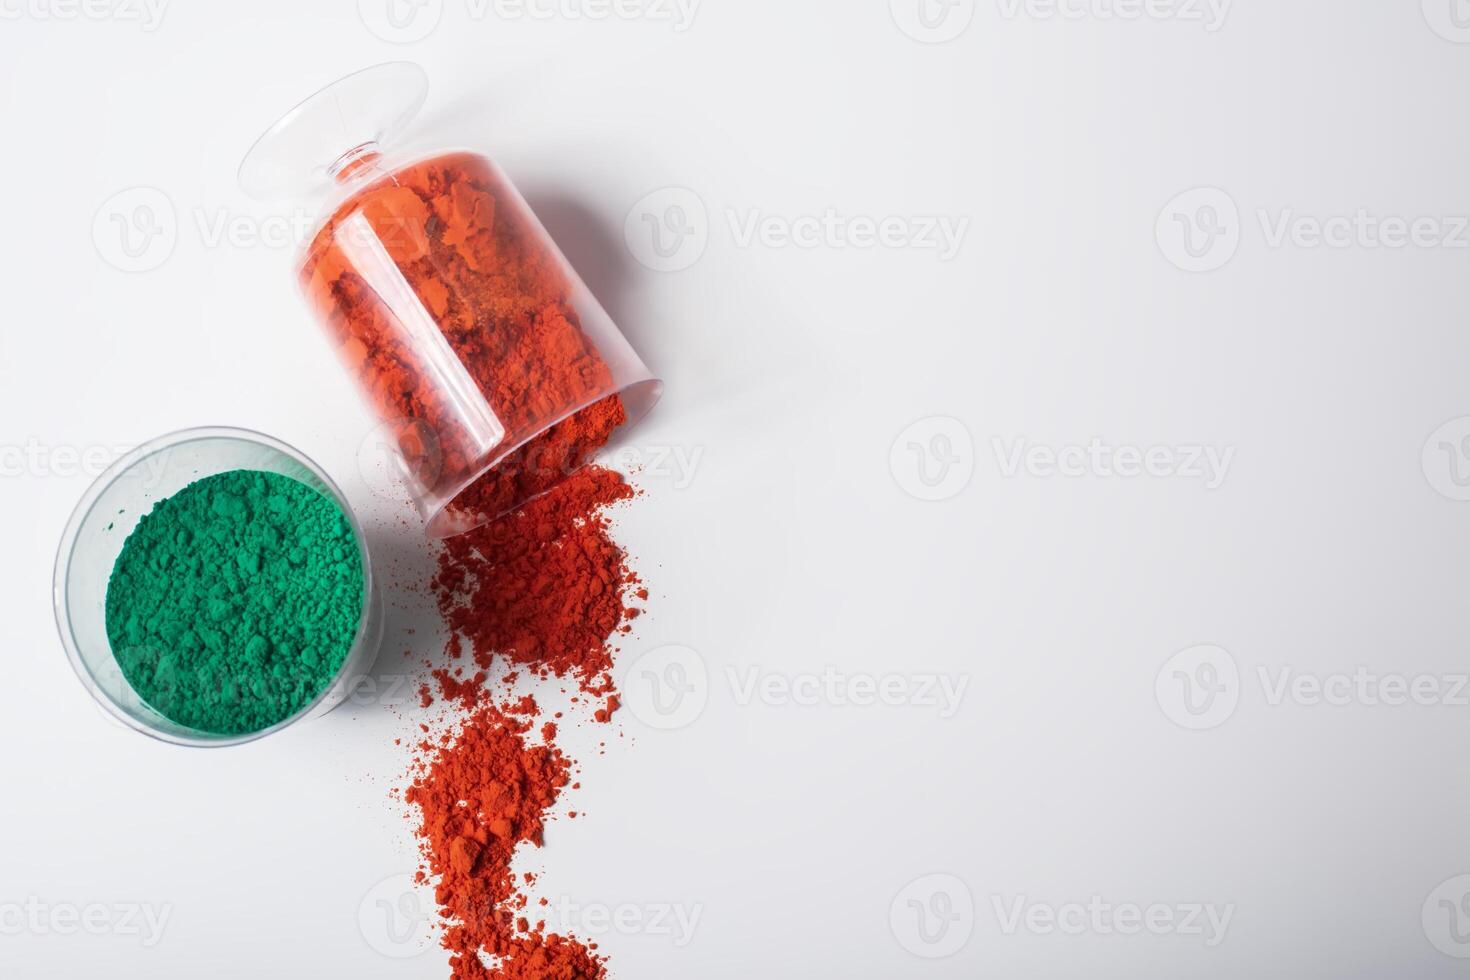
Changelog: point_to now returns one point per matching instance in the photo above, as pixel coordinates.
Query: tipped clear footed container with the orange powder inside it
(474, 342)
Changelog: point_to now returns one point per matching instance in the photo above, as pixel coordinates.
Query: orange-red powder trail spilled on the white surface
(546, 590)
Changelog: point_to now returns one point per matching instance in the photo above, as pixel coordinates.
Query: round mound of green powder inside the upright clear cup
(236, 602)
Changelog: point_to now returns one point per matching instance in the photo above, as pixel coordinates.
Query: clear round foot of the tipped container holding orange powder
(340, 124)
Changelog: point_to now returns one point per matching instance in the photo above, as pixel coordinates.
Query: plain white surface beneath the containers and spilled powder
(799, 543)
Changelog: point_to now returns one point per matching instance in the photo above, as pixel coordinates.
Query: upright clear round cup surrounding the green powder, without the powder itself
(108, 514)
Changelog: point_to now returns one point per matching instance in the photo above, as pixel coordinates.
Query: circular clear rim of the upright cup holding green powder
(83, 512)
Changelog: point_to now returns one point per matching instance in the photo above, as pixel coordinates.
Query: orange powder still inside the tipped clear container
(464, 328)
